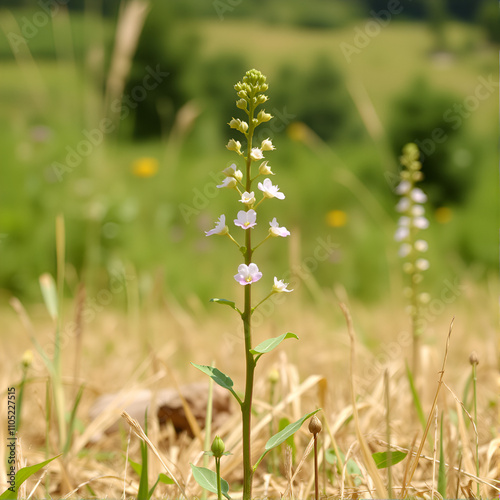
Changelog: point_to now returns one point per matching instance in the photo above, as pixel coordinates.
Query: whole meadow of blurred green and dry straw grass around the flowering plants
(118, 219)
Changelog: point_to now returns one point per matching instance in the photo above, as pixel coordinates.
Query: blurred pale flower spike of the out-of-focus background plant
(412, 221)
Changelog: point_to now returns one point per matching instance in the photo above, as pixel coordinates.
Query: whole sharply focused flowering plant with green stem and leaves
(251, 95)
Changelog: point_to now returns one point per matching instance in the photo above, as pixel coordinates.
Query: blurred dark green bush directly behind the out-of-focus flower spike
(431, 119)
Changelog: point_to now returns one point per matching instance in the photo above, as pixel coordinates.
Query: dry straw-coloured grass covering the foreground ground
(314, 372)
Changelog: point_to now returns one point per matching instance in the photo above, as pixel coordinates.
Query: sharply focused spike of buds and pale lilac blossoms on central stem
(250, 92)
